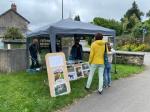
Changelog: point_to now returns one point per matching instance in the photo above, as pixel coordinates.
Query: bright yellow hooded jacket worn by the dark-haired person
(97, 52)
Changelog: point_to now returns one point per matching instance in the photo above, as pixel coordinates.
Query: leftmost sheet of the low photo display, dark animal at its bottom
(71, 72)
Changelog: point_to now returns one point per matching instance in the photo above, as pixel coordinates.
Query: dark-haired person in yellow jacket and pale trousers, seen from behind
(96, 60)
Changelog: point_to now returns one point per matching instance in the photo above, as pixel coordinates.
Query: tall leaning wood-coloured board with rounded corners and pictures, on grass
(57, 74)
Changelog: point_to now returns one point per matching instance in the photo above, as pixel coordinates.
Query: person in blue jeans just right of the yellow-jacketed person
(107, 70)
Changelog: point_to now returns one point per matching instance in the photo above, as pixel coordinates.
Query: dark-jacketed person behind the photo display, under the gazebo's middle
(76, 51)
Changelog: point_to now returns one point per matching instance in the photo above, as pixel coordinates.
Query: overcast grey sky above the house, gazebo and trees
(41, 12)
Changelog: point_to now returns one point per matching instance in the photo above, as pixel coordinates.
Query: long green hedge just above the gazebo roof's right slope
(112, 24)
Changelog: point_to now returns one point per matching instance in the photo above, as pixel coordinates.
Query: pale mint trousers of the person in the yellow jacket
(93, 67)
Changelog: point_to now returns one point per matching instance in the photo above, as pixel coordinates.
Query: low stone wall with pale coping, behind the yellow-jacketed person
(132, 58)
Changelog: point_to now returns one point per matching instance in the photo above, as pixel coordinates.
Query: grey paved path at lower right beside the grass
(126, 95)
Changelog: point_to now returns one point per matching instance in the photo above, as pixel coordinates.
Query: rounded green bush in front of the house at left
(13, 33)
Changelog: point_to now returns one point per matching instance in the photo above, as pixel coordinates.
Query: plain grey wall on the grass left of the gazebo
(12, 60)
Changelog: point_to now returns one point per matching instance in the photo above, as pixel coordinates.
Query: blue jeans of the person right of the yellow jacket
(107, 75)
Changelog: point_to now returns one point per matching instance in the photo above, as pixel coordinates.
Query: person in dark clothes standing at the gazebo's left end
(33, 48)
